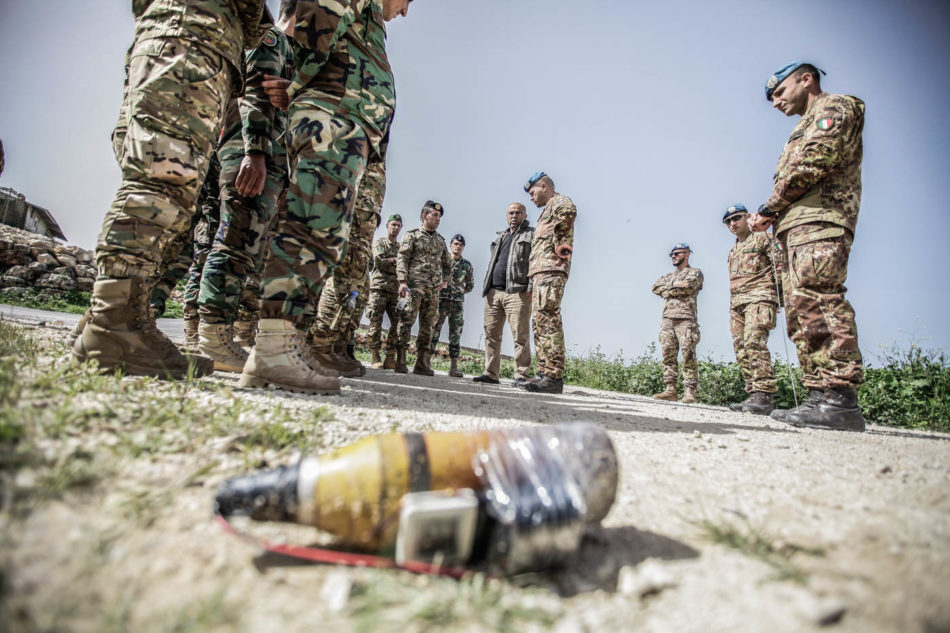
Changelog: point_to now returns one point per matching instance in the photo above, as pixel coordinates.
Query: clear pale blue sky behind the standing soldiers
(651, 116)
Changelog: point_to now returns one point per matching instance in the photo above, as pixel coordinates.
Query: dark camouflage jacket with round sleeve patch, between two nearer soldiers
(252, 118)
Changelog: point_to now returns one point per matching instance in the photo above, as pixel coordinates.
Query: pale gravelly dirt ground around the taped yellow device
(845, 532)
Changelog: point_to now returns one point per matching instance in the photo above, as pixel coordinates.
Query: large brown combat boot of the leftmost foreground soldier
(120, 334)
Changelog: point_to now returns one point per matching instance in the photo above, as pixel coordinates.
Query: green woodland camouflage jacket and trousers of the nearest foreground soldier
(342, 102)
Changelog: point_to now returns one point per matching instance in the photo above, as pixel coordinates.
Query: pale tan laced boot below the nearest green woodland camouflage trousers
(280, 358)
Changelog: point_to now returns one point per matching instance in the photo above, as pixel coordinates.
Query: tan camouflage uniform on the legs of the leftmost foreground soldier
(183, 65)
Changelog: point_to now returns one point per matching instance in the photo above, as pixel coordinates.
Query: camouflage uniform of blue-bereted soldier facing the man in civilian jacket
(549, 274)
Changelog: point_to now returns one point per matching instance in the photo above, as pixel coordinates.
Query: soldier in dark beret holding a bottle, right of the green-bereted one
(423, 267)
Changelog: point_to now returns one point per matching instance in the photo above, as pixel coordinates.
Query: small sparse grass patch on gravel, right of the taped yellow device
(752, 542)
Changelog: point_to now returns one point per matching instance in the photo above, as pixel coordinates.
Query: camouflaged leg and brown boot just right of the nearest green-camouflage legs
(331, 331)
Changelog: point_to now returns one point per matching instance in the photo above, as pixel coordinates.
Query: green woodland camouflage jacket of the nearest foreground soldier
(343, 66)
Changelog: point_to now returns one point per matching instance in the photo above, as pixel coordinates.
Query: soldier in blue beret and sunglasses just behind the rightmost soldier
(752, 309)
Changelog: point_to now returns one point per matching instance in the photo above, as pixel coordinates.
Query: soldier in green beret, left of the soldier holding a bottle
(384, 293)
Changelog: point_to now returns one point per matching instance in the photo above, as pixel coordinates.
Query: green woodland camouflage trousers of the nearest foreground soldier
(327, 158)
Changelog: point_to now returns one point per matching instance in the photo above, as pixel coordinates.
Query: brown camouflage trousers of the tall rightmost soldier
(820, 320)
